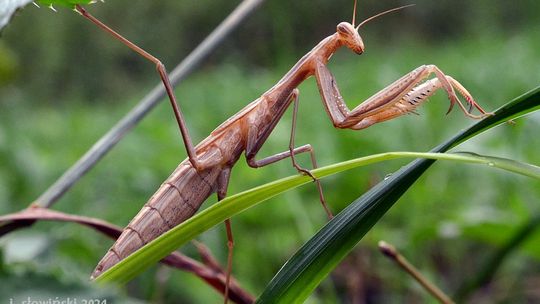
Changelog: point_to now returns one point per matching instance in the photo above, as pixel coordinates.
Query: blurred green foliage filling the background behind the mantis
(64, 83)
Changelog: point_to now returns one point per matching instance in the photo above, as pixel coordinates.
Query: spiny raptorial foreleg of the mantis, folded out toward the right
(401, 97)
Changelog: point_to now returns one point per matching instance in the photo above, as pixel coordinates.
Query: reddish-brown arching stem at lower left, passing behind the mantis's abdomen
(213, 274)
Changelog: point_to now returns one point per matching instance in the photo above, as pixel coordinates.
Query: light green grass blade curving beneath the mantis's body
(216, 214)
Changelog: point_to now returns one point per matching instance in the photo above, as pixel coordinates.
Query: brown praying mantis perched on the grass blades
(208, 166)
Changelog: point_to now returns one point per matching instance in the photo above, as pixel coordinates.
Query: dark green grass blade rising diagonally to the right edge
(313, 262)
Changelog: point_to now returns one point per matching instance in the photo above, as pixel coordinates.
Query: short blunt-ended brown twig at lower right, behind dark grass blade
(391, 252)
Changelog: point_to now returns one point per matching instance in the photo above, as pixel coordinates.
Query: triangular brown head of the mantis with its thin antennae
(348, 34)
